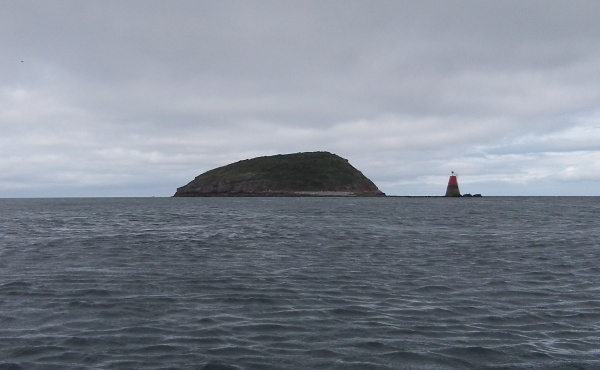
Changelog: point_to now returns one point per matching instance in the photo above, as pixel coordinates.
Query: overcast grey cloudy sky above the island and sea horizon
(136, 98)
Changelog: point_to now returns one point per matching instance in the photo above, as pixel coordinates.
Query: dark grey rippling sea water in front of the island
(300, 283)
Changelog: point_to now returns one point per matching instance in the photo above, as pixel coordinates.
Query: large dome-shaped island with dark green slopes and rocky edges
(300, 174)
